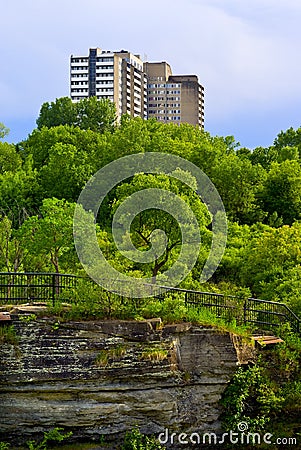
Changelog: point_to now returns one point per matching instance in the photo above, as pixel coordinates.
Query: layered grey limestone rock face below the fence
(103, 378)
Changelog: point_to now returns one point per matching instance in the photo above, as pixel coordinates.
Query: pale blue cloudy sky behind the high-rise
(246, 54)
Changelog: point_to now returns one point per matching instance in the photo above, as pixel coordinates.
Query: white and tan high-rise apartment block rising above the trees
(139, 89)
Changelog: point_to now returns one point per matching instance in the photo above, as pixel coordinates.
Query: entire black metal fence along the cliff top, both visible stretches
(18, 287)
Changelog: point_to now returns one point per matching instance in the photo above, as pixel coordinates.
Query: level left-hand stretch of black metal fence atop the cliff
(18, 287)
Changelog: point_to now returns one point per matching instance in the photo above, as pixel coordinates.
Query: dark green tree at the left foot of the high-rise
(87, 114)
